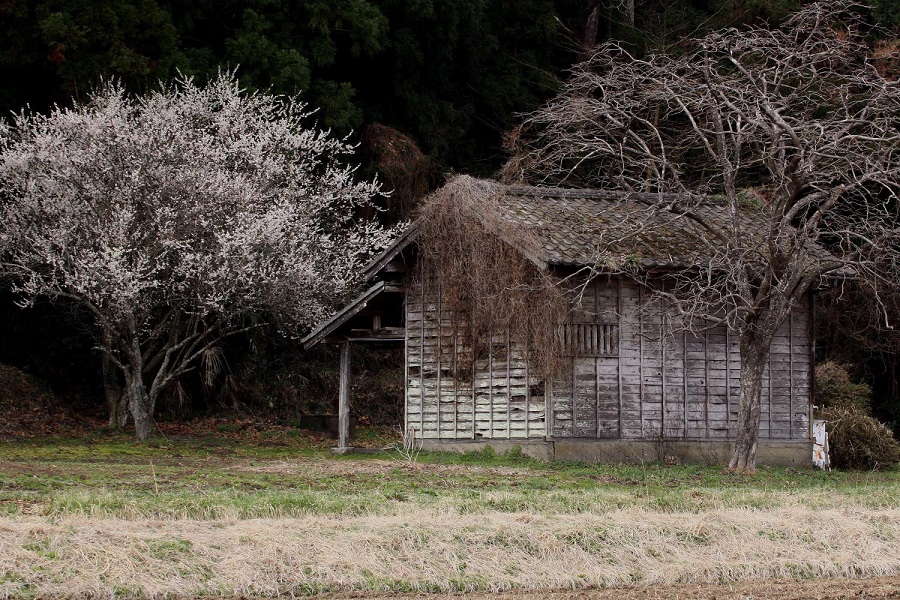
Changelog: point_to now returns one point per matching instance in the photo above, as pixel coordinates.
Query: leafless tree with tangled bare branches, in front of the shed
(774, 144)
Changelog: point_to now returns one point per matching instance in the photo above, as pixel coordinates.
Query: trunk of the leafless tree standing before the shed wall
(755, 350)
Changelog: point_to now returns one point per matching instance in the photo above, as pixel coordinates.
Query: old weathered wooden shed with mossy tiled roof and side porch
(634, 387)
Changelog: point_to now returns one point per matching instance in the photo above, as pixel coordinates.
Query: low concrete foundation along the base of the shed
(775, 453)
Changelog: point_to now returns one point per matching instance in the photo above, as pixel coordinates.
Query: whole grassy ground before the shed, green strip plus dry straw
(100, 517)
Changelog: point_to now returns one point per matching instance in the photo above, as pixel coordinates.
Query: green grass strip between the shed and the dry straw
(210, 477)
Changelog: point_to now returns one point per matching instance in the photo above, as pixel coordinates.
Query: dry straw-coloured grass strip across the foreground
(434, 551)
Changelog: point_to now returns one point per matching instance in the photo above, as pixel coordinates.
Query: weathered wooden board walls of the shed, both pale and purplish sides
(630, 380)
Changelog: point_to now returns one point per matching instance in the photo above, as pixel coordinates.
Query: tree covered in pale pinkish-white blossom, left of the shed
(177, 219)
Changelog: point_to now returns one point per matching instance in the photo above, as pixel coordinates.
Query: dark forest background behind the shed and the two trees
(425, 87)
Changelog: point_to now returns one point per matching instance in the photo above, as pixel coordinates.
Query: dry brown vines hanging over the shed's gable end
(486, 281)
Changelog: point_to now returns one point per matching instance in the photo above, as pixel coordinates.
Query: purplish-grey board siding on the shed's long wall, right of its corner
(677, 385)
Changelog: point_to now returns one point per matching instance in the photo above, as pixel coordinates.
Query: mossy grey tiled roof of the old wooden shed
(576, 227)
